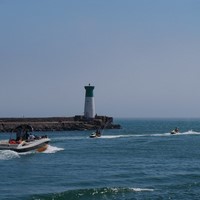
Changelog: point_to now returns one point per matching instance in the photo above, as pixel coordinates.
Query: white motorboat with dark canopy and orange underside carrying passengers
(24, 141)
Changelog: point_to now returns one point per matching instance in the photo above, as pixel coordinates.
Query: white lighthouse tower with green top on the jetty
(89, 109)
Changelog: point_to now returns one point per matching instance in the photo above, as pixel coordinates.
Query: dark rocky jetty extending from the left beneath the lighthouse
(59, 123)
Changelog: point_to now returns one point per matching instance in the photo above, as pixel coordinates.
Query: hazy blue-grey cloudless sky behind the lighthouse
(142, 56)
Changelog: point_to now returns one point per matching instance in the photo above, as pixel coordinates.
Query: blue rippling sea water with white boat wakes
(140, 161)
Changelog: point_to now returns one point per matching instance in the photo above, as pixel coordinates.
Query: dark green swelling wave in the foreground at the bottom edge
(96, 193)
